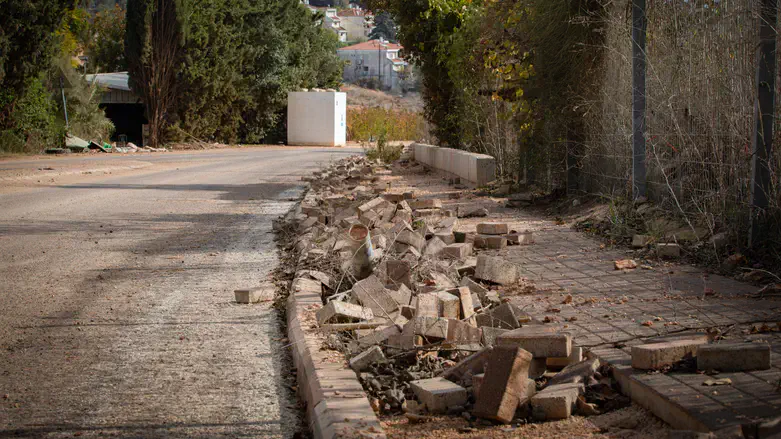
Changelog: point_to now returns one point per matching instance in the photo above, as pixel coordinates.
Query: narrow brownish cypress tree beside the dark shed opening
(153, 48)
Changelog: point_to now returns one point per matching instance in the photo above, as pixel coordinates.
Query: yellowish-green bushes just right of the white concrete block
(364, 125)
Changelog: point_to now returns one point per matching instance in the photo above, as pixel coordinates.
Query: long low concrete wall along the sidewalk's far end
(478, 169)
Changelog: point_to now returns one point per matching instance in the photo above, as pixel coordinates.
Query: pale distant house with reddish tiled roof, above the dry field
(375, 63)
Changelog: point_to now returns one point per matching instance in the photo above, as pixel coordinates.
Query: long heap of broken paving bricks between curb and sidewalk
(417, 310)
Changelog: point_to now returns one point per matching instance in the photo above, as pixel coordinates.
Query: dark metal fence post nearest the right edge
(764, 111)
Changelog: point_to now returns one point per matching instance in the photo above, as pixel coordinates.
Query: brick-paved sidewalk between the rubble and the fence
(611, 310)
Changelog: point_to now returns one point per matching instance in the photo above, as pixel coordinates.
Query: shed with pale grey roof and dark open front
(123, 107)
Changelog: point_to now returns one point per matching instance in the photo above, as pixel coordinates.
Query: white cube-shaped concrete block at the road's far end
(317, 118)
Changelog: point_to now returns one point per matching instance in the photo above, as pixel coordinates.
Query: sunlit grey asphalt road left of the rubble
(116, 293)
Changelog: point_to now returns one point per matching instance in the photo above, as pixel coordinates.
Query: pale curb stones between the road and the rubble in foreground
(336, 404)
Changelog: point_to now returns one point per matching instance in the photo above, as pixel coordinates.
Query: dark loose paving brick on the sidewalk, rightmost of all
(733, 357)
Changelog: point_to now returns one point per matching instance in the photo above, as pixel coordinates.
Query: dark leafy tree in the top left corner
(26, 47)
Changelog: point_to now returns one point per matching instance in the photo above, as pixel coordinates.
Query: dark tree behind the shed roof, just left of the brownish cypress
(106, 50)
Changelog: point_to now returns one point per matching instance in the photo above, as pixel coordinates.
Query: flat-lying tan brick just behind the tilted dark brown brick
(540, 341)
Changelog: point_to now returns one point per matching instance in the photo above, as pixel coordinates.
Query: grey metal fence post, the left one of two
(639, 23)
